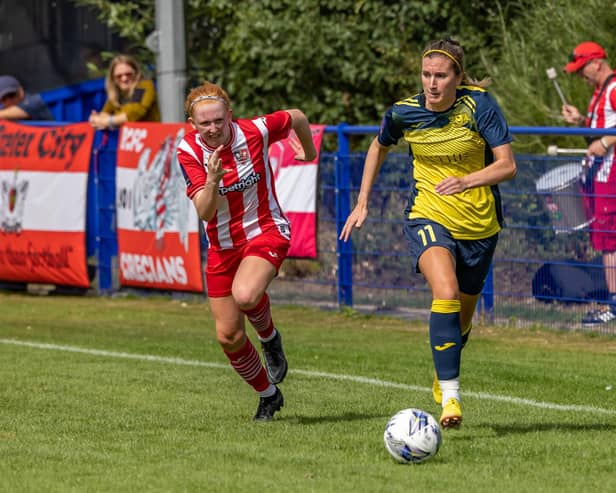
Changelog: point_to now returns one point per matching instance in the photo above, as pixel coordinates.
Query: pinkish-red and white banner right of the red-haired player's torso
(296, 187)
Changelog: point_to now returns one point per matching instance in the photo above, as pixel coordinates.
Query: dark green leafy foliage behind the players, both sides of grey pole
(339, 60)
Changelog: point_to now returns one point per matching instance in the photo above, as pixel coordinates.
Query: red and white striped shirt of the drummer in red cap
(602, 114)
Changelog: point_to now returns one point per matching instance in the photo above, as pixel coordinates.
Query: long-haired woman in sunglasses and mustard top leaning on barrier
(130, 97)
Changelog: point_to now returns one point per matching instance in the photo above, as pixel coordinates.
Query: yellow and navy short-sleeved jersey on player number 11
(455, 142)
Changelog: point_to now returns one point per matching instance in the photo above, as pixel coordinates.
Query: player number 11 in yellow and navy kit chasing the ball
(460, 149)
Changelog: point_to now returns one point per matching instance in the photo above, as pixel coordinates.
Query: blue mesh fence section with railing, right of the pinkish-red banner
(533, 247)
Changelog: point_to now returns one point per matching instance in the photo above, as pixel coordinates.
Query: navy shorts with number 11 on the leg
(473, 257)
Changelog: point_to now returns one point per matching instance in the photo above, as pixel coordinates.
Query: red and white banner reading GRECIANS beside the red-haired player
(158, 227)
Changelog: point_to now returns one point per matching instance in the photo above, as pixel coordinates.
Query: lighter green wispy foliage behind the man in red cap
(539, 38)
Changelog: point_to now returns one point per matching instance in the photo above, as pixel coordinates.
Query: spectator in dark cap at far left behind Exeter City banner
(16, 104)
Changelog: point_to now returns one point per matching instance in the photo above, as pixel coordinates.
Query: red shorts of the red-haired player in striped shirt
(223, 264)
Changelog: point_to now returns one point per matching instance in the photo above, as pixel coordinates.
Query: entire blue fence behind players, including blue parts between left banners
(373, 267)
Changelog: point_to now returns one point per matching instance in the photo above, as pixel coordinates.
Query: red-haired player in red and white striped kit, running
(230, 182)
